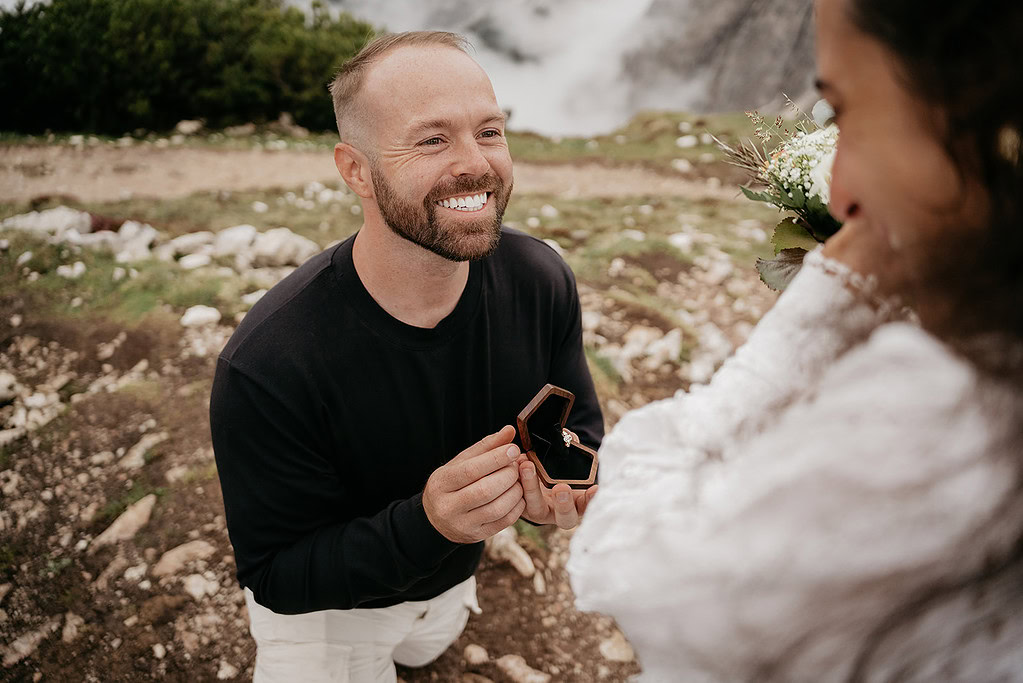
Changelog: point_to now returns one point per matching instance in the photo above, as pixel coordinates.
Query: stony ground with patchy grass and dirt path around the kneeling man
(115, 563)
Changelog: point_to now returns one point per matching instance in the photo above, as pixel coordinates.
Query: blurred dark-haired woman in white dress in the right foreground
(844, 502)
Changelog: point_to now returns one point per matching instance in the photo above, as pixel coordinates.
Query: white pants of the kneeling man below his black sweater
(358, 646)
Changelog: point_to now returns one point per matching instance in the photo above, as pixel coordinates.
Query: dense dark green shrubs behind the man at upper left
(115, 66)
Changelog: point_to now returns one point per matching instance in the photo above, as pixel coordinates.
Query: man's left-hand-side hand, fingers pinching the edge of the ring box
(478, 493)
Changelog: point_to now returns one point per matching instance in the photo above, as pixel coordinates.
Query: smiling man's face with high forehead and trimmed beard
(442, 173)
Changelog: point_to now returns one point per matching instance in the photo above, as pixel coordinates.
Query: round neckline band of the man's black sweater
(383, 324)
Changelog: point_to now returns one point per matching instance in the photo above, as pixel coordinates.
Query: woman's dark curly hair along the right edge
(963, 58)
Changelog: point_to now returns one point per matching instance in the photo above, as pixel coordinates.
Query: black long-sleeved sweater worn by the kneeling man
(329, 416)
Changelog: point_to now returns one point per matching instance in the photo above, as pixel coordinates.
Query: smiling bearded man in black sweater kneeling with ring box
(362, 413)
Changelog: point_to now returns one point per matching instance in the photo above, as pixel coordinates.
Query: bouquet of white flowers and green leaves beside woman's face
(794, 176)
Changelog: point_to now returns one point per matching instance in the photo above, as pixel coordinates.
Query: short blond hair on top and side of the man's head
(347, 83)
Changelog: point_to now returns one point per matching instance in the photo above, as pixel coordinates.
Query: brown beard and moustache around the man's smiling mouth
(419, 224)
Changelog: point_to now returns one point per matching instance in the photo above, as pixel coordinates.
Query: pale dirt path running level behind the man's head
(108, 173)
